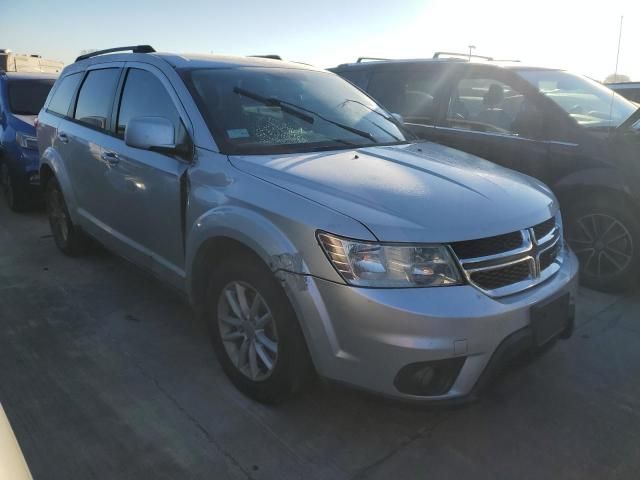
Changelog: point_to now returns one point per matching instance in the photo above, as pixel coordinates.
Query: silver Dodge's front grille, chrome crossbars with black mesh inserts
(509, 263)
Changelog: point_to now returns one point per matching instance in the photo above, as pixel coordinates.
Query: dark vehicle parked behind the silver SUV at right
(571, 132)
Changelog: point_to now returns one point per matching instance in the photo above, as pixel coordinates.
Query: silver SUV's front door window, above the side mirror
(145, 96)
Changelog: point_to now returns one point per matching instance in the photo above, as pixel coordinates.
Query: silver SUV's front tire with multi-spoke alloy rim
(255, 332)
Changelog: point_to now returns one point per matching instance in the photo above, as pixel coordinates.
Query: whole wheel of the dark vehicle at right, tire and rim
(605, 236)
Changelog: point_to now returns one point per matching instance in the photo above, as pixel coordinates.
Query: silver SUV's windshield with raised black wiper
(284, 110)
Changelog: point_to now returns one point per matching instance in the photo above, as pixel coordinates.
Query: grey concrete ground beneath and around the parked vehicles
(105, 374)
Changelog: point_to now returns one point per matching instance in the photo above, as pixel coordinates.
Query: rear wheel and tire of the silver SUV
(68, 237)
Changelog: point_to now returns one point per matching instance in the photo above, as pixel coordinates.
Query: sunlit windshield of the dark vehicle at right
(589, 103)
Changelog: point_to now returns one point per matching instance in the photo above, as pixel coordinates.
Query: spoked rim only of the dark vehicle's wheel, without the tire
(603, 244)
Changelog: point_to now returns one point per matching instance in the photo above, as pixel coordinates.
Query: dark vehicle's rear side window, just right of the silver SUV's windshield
(411, 93)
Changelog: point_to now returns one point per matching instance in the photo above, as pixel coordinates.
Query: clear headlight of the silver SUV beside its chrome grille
(368, 264)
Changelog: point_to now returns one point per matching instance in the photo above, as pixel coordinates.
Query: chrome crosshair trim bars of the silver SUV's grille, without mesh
(530, 251)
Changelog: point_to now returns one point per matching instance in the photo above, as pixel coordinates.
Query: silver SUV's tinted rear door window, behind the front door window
(96, 97)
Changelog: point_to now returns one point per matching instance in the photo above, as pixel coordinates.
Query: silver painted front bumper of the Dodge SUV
(364, 337)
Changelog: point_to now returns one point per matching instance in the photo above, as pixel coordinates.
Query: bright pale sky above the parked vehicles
(581, 36)
